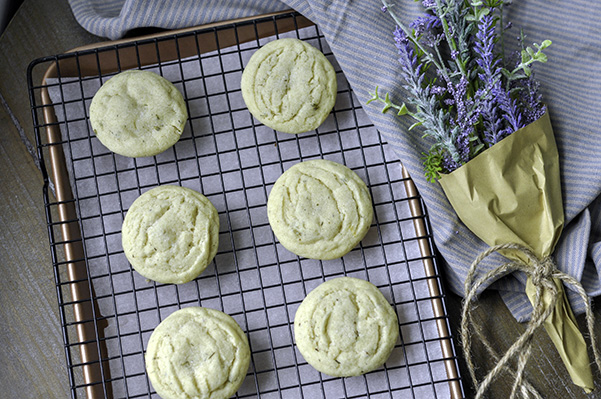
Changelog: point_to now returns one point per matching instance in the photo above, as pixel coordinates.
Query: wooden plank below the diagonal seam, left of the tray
(31, 347)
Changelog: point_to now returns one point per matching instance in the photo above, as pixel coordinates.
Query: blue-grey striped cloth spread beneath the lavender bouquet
(361, 39)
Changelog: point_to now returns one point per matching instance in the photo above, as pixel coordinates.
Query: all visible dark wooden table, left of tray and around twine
(32, 357)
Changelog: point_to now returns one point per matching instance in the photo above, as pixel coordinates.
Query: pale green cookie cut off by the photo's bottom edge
(197, 353)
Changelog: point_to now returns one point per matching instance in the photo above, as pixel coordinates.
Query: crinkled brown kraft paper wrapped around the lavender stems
(511, 193)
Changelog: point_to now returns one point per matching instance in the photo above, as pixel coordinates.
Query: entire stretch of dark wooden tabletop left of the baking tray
(32, 357)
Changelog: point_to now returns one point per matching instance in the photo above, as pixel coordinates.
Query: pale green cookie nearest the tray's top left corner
(138, 114)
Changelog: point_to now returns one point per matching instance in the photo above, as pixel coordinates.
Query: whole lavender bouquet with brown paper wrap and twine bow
(493, 151)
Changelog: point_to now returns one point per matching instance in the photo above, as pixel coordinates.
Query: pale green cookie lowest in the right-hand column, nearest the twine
(345, 327)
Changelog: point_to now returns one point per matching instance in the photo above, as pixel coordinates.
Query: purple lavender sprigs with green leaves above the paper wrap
(461, 91)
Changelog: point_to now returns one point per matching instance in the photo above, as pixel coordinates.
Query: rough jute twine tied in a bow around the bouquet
(542, 273)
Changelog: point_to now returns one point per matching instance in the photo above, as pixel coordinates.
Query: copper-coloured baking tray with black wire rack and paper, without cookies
(107, 311)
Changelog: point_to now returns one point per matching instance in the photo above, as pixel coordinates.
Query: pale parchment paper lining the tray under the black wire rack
(234, 161)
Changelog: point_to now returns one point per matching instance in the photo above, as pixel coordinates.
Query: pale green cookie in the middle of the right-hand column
(319, 209)
